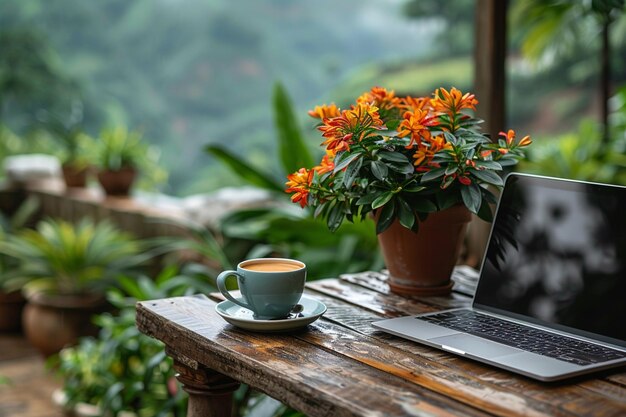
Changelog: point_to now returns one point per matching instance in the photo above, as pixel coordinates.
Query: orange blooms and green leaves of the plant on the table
(402, 158)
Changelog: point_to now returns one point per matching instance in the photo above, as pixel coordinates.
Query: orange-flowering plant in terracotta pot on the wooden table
(414, 164)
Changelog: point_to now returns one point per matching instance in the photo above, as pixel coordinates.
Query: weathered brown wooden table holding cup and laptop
(340, 366)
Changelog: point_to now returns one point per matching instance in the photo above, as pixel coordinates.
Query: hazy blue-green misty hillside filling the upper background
(194, 72)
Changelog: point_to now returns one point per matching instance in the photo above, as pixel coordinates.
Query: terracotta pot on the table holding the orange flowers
(422, 263)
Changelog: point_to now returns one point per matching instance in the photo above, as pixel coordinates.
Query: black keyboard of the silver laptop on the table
(524, 337)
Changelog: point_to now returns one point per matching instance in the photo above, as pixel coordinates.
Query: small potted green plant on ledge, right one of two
(120, 154)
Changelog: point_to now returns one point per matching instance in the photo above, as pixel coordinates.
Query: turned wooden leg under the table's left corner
(210, 393)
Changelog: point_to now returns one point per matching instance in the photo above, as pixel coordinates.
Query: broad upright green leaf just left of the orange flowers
(292, 148)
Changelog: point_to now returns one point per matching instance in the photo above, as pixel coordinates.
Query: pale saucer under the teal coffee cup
(242, 317)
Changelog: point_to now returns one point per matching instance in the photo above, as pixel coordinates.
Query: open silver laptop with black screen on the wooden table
(551, 296)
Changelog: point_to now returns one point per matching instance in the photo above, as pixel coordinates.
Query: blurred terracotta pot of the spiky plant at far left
(52, 322)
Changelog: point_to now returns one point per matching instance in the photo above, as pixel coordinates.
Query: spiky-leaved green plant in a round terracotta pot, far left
(64, 270)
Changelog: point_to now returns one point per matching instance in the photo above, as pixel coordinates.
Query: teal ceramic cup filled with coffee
(270, 287)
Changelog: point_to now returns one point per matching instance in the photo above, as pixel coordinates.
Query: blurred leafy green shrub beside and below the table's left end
(123, 372)
